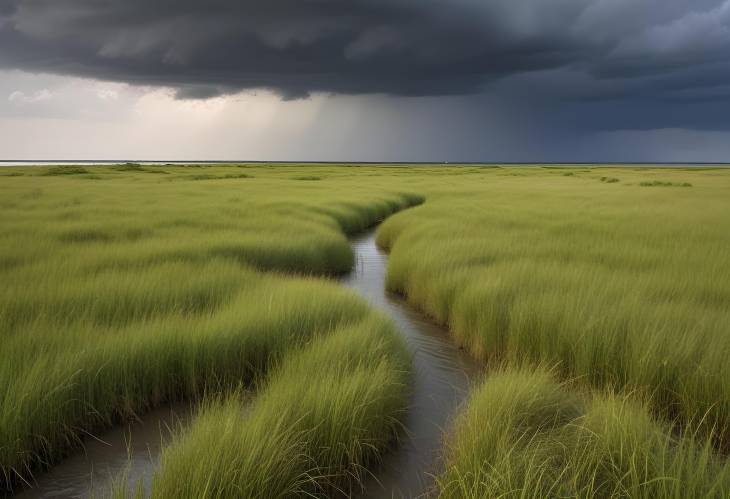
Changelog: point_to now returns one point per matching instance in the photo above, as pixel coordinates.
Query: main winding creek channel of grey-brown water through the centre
(442, 378)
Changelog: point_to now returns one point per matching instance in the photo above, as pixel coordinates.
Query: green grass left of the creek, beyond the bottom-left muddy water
(122, 295)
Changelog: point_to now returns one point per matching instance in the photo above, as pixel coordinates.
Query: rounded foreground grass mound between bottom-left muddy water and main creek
(327, 411)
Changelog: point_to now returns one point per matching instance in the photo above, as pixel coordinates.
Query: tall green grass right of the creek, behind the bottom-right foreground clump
(615, 284)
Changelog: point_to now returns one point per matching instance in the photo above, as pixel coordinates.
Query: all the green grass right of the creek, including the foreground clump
(617, 279)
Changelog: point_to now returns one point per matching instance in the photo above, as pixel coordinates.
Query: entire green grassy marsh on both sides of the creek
(598, 299)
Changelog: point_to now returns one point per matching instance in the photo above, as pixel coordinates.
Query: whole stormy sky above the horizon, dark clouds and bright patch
(366, 80)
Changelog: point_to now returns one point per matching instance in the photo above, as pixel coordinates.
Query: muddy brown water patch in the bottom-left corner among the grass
(132, 449)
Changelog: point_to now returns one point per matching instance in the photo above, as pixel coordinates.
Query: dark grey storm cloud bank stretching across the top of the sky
(672, 48)
